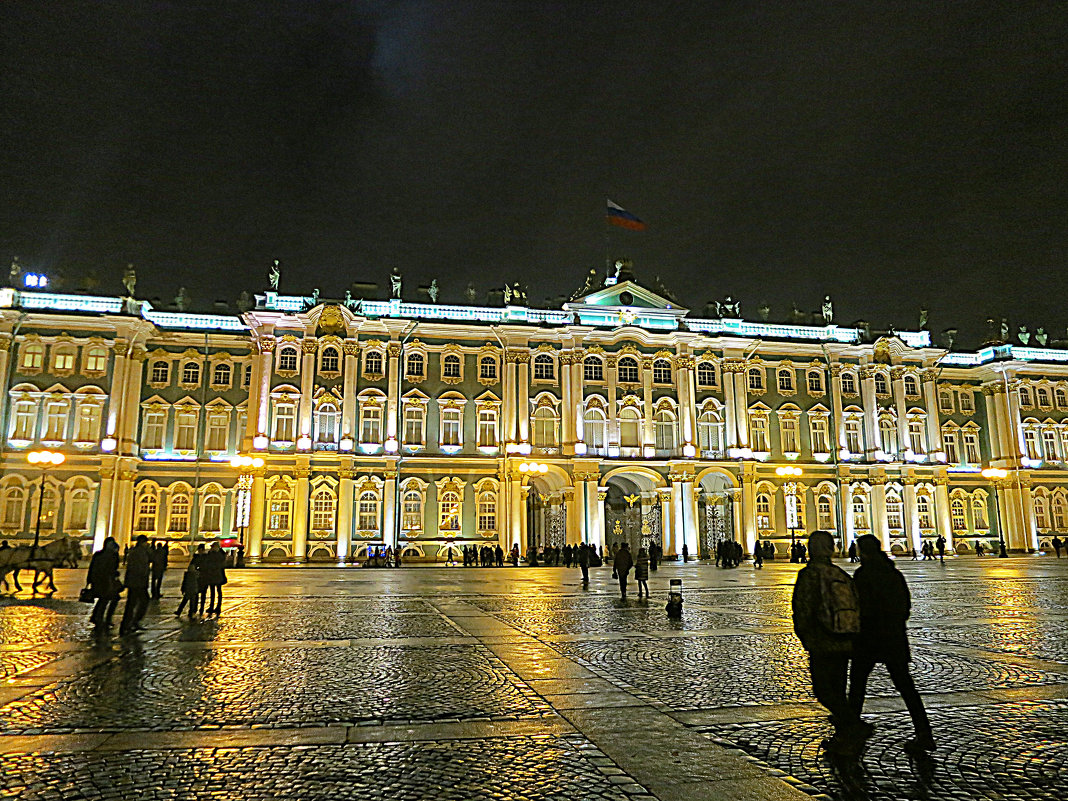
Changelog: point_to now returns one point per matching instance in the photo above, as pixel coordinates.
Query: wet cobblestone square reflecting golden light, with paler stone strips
(501, 684)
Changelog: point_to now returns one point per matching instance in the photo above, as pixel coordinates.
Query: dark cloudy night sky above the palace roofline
(892, 155)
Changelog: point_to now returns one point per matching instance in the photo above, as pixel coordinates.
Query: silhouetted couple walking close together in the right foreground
(849, 625)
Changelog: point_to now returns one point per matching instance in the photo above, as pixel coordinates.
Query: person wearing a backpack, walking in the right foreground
(826, 621)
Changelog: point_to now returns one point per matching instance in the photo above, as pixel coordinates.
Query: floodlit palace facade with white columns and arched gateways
(425, 427)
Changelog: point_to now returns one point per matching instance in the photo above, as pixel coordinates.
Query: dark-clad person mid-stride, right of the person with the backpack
(886, 606)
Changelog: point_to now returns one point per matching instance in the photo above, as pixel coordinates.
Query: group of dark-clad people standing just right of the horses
(144, 579)
